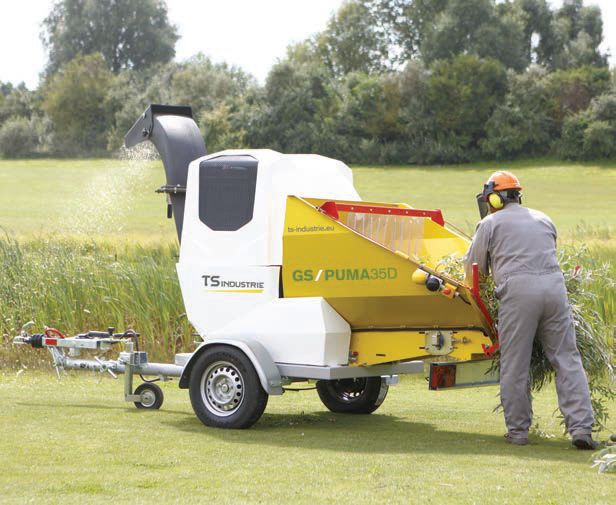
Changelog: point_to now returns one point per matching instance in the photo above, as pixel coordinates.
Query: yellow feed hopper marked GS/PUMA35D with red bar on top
(370, 261)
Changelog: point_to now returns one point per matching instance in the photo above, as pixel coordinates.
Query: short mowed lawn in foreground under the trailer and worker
(76, 441)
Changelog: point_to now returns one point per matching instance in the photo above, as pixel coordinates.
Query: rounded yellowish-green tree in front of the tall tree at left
(75, 100)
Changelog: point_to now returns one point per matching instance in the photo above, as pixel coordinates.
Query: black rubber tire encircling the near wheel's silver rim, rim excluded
(254, 399)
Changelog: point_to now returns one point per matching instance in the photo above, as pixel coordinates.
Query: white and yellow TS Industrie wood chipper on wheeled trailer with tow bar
(288, 277)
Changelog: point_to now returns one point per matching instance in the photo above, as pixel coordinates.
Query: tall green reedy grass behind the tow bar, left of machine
(76, 285)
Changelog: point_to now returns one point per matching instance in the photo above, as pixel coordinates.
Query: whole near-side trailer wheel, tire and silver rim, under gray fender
(225, 390)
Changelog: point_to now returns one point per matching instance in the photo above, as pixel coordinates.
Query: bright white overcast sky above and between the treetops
(251, 34)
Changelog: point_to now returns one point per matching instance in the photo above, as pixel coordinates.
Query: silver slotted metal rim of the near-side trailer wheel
(222, 388)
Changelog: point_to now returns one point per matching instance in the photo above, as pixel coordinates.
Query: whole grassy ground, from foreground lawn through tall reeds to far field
(89, 245)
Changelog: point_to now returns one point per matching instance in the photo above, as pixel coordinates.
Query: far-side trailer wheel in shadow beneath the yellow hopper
(353, 396)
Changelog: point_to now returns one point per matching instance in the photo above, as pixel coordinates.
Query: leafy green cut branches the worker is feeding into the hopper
(586, 280)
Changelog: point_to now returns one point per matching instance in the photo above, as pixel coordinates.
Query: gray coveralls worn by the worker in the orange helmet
(519, 246)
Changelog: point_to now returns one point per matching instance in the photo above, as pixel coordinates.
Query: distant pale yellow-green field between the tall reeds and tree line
(115, 198)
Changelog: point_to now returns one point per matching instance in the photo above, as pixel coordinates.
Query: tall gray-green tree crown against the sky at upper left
(128, 33)
